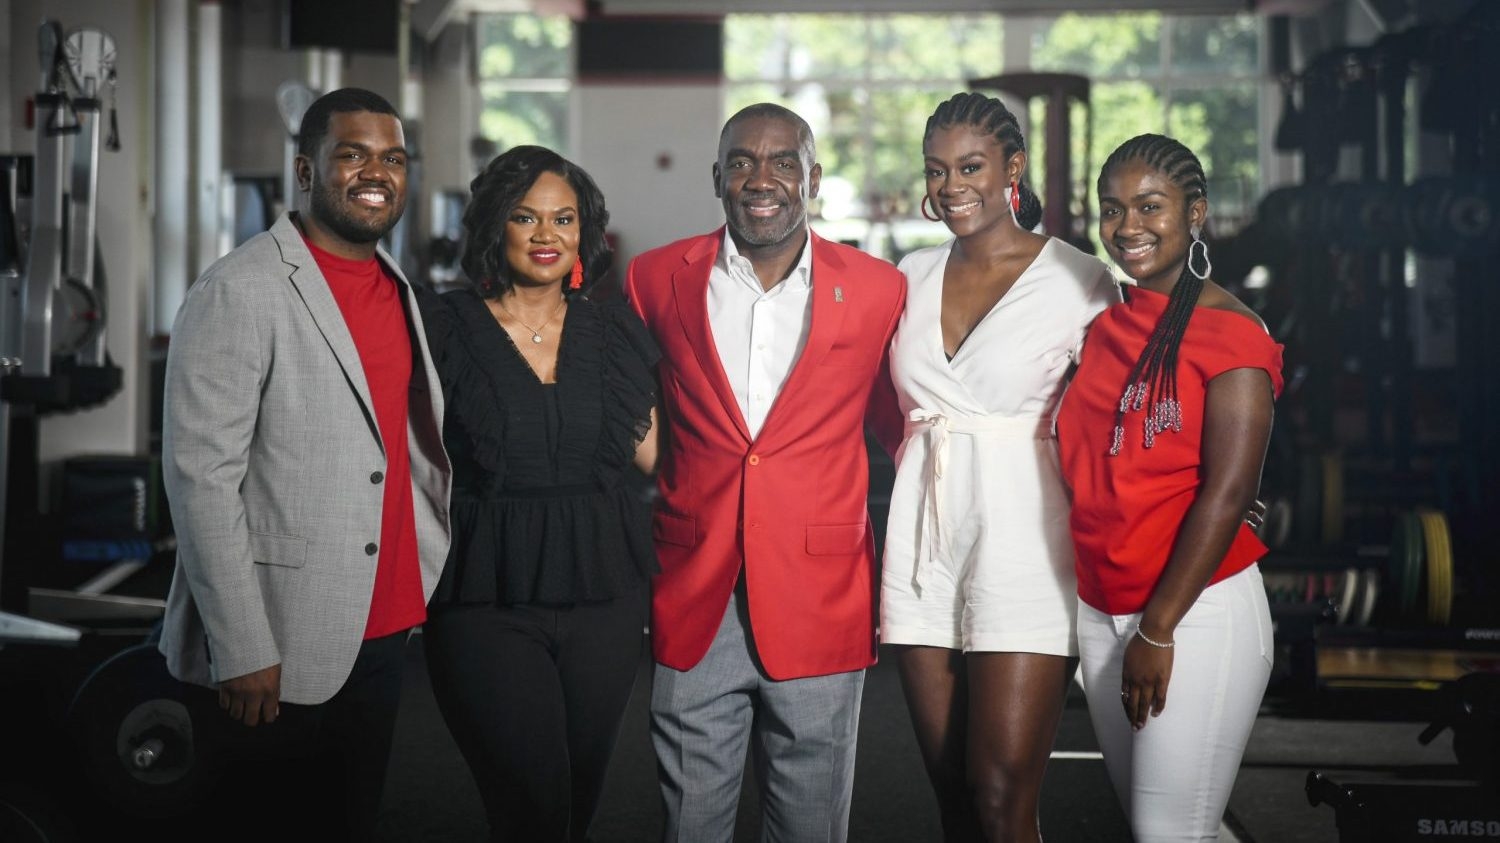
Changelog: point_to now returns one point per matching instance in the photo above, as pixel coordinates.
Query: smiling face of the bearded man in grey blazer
(358, 185)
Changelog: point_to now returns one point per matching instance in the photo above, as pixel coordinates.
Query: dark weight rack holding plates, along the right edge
(1373, 614)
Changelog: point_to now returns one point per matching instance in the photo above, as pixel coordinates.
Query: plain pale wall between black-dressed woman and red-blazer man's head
(625, 131)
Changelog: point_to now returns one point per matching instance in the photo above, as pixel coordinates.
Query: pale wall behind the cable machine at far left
(121, 425)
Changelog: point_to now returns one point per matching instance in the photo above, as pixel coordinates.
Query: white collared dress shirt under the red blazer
(760, 332)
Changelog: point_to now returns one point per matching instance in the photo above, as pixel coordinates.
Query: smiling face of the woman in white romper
(967, 178)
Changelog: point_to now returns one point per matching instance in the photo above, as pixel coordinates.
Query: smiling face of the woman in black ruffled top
(544, 232)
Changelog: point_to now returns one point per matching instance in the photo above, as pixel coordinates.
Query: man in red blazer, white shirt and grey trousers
(763, 617)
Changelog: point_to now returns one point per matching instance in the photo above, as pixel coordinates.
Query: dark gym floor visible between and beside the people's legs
(430, 796)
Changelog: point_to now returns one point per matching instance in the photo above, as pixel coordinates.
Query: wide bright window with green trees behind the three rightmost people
(868, 83)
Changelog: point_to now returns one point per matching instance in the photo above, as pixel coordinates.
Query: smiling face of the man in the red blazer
(764, 178)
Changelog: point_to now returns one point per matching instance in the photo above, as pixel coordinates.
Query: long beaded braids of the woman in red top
(1153, 382)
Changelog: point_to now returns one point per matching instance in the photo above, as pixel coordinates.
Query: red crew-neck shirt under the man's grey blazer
(376, 313)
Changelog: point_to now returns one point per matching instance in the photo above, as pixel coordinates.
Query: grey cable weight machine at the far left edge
(53, 307)
